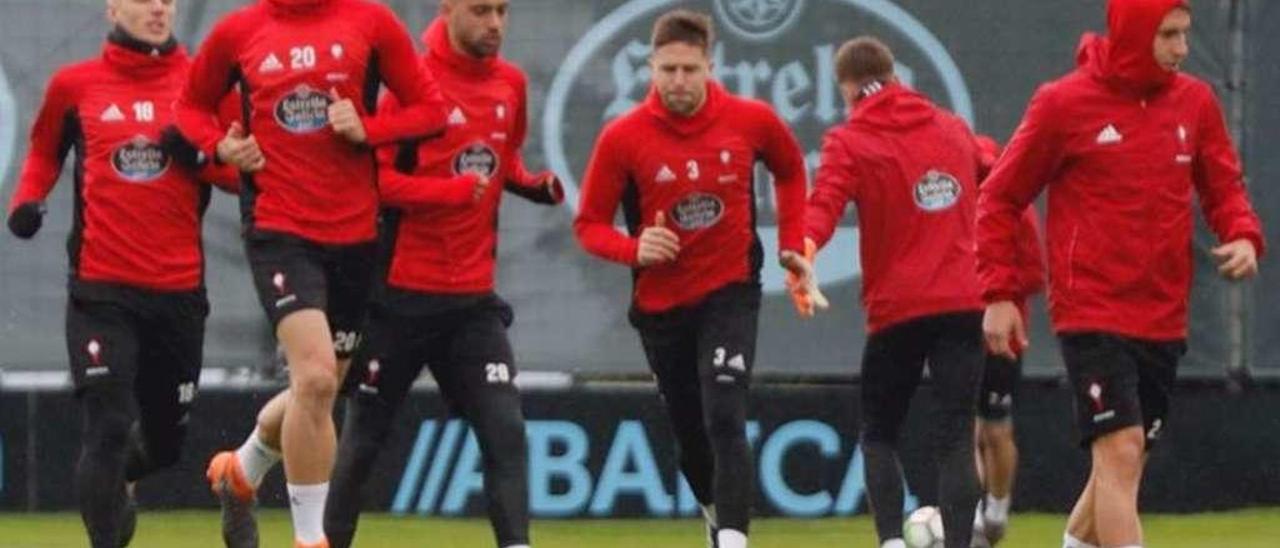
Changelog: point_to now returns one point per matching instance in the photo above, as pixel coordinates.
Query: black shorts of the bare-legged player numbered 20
(294, 275)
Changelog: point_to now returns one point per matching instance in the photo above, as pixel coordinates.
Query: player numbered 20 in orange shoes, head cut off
(309, 72)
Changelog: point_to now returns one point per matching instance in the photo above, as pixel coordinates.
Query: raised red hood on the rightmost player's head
(1126, 58)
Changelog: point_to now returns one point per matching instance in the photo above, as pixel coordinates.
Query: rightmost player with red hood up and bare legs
(1122, 144)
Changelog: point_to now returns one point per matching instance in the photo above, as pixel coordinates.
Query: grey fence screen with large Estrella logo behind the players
(586, 63)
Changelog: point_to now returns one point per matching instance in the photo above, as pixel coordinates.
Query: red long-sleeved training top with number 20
(289, 57)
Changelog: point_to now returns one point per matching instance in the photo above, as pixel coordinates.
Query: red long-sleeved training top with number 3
(698, 171)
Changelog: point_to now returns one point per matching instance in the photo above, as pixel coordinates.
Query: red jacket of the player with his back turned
(912, 171)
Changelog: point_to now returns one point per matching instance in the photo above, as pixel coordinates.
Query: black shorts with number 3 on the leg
(711, 342)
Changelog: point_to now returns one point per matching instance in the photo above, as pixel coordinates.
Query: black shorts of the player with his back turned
(894, 363)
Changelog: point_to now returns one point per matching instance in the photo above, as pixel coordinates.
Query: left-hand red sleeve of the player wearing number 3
(602, 191)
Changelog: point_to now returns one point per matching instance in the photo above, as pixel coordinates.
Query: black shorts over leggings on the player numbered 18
(152, 342)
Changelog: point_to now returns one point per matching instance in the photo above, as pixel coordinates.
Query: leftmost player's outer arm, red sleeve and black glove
(51, 143)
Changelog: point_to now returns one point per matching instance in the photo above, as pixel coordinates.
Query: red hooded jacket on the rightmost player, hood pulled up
(1122, 147)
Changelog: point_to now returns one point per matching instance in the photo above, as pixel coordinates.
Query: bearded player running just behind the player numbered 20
(438, 307)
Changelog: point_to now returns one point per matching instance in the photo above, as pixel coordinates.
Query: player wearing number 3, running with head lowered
(682, 165)
